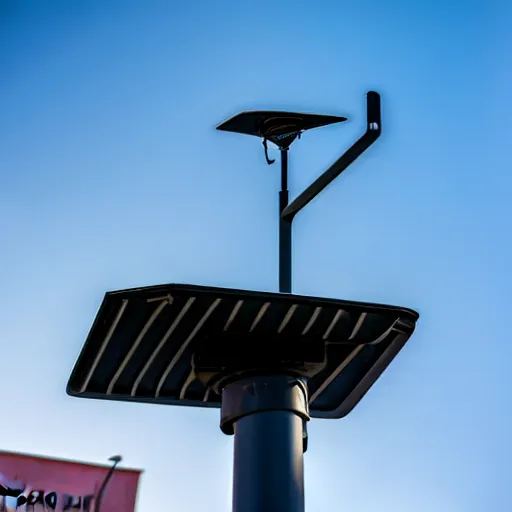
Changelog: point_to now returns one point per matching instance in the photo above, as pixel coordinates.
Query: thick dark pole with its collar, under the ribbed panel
(267, 415)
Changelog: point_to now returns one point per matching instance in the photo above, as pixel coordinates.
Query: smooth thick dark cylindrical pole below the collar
(269, 468)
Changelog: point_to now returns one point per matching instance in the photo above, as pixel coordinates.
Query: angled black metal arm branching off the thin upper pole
(373, 130)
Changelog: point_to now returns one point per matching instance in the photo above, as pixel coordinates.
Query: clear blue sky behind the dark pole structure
(112, 176)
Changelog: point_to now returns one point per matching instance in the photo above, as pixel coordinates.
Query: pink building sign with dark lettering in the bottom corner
(37, 484)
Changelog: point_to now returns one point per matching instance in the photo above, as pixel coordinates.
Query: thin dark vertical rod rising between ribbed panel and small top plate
(285, 231)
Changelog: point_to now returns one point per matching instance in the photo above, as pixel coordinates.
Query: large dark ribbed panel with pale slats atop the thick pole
(143, 341)
